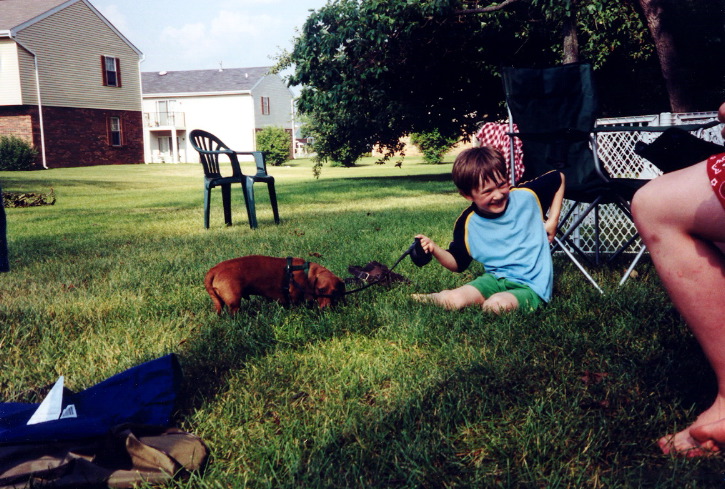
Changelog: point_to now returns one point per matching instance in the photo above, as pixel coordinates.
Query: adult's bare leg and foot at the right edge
(681, 220)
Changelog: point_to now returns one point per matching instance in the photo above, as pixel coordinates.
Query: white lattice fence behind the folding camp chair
(616, 152)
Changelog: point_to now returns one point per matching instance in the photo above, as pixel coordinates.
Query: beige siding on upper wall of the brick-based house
(69, 45)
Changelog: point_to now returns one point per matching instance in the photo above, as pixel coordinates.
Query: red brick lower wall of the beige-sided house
(76, 136)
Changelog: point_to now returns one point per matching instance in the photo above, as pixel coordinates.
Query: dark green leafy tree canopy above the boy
(372, 71)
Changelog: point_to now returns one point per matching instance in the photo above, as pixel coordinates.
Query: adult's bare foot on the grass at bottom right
(704, 437)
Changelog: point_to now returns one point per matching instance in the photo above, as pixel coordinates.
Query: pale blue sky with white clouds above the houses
(200, 34)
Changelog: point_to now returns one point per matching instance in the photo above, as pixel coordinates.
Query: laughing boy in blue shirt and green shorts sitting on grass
(506, 230)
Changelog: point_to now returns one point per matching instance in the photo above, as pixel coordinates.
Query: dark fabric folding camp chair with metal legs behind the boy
(556, 111)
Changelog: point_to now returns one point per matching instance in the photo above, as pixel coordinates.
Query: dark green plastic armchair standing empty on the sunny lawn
(210, 149)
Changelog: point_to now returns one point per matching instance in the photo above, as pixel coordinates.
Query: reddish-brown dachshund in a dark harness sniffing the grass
(230, 281)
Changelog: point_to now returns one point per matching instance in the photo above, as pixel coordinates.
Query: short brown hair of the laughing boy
(475, 166)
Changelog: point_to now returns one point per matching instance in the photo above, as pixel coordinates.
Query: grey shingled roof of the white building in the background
(202, 81)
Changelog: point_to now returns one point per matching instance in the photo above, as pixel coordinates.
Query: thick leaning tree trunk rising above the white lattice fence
(670, 64)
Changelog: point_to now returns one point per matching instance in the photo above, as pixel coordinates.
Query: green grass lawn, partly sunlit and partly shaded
(380, 392)
